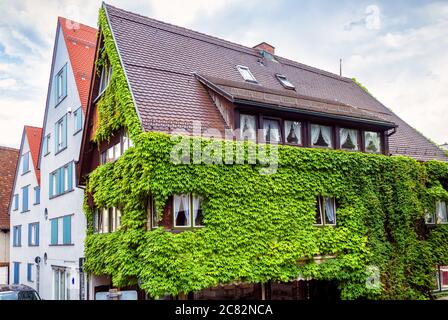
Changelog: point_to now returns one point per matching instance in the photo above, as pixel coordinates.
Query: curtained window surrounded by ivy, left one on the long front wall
(187, 211)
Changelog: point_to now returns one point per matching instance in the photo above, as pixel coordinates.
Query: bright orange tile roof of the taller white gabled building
(80, 41)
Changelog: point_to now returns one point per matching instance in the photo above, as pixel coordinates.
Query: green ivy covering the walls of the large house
(261, 227)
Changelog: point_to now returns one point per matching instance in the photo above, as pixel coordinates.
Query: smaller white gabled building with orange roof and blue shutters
(25, 212)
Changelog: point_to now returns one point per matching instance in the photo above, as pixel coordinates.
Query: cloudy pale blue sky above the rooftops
(397, 49)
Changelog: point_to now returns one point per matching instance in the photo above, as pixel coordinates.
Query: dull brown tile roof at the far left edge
(8, 160)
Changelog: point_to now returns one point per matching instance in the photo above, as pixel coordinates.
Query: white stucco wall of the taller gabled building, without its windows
(69, 203)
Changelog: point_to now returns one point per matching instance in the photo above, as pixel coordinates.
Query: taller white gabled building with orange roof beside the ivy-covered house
(61, 210)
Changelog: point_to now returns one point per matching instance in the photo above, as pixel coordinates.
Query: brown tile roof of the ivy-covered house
(160, 61)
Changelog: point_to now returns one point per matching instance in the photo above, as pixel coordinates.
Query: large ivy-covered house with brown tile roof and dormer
(342, 215)
